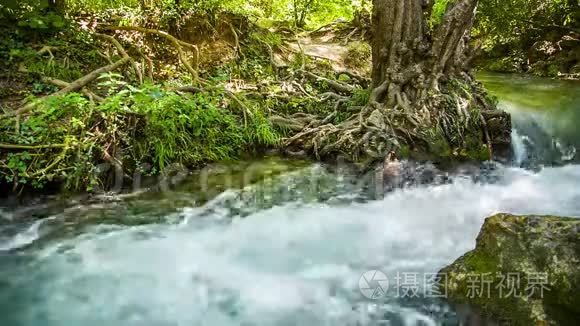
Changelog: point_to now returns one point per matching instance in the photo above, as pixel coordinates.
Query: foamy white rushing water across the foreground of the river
(296, 263)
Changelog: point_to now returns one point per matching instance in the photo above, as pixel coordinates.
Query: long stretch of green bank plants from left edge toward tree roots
(70, 137)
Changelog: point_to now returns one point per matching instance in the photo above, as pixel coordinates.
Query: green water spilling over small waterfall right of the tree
(545, 112)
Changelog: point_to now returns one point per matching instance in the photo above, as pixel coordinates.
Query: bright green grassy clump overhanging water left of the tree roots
(188, 131)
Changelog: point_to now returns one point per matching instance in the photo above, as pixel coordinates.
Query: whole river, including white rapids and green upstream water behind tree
(279, 242)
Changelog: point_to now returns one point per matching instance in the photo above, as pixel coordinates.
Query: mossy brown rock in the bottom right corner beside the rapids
(525, 270)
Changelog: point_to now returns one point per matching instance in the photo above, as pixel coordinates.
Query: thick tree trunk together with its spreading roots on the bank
(423, 96)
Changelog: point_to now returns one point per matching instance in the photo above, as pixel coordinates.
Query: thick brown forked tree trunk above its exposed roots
(404, 50)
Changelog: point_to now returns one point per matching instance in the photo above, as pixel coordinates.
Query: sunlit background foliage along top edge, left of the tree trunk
(38, 16)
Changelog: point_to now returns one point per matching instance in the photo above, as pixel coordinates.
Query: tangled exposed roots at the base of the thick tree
(375, 129)
